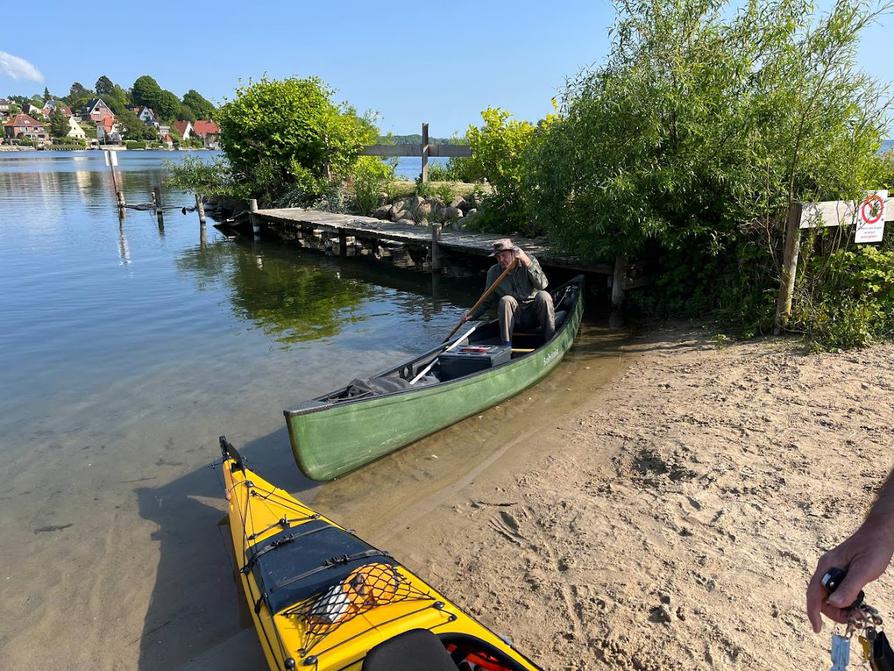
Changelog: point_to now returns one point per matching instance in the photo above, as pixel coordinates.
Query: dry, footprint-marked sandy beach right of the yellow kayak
(673, 519)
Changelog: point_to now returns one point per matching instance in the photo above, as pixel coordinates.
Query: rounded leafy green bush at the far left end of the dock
(288, 136)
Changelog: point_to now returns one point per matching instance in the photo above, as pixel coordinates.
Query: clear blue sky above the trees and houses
(410, 62)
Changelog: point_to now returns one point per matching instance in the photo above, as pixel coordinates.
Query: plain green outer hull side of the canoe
(340, 437)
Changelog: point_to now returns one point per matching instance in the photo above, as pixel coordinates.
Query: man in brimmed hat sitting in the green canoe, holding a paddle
(521, 297)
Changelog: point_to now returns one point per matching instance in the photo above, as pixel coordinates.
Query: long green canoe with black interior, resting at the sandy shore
(352, 426)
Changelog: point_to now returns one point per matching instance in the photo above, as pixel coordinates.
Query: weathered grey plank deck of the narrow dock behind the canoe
(461, 242)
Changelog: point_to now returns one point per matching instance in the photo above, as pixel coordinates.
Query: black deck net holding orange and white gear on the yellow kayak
(366, 587)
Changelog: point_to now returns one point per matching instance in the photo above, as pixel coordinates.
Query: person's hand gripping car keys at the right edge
(864, 556)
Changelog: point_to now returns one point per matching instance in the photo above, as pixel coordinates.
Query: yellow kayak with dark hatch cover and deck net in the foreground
(323, 599)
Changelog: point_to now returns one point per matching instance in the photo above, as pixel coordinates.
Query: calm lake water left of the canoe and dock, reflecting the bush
(126, 349)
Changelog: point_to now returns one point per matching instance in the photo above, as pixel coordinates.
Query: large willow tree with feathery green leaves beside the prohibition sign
(686, 147)
